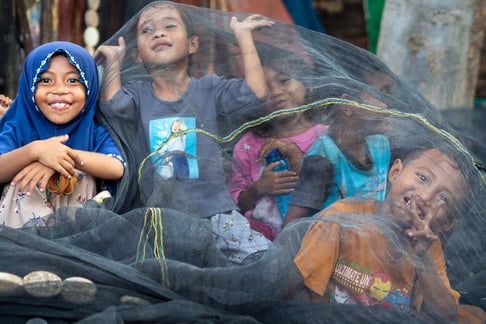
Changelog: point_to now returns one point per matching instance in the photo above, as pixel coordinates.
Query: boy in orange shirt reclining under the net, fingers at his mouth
(364, 252)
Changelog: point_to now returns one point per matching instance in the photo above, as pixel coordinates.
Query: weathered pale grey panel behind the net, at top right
(435, 46)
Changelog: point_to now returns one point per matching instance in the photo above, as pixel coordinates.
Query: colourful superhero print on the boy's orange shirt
(368, 289)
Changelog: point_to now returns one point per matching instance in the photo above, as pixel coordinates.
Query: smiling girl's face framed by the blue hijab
(60, 95)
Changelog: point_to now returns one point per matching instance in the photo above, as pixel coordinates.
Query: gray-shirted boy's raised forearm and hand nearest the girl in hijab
(114, 56)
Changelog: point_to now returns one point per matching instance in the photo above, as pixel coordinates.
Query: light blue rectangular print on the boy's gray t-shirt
(178, 156)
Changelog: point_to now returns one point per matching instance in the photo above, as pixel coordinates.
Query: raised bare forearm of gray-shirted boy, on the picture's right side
(252, 66)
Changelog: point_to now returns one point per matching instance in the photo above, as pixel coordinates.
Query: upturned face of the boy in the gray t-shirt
(162, 37)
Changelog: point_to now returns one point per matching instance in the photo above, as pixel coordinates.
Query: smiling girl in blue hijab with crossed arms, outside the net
(51, 148)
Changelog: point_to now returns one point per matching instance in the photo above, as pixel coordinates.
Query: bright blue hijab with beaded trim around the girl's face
(24, 122)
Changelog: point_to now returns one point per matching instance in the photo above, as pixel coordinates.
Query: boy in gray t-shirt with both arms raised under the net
(171, 102)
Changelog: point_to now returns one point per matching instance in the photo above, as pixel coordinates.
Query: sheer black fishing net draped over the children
(164, 250)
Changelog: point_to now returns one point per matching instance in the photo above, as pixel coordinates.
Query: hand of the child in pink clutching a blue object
(275, 183)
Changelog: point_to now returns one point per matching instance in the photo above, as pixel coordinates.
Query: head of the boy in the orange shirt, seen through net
(431, 187)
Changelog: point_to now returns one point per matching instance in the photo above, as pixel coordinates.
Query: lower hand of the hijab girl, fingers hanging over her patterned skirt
(35, 174)
